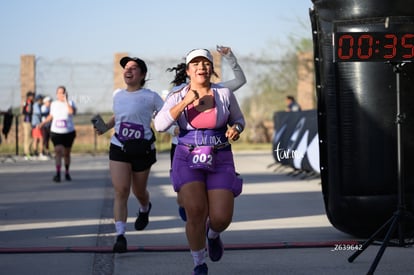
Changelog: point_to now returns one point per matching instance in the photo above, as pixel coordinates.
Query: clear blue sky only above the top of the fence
(91, 30)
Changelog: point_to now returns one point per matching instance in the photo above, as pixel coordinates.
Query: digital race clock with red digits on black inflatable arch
(373, 46)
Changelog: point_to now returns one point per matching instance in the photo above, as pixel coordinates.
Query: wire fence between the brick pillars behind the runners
(90, 86)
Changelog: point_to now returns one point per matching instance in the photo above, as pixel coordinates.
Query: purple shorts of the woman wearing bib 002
(222, 176)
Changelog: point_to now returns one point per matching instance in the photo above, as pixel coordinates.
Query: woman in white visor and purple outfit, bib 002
(203, 172)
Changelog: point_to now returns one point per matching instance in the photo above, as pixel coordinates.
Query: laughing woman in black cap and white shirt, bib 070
(132, 150)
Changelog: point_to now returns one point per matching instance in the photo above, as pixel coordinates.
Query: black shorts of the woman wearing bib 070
(138, 163)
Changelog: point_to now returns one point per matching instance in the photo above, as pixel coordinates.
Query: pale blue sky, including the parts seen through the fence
(90, 32)
